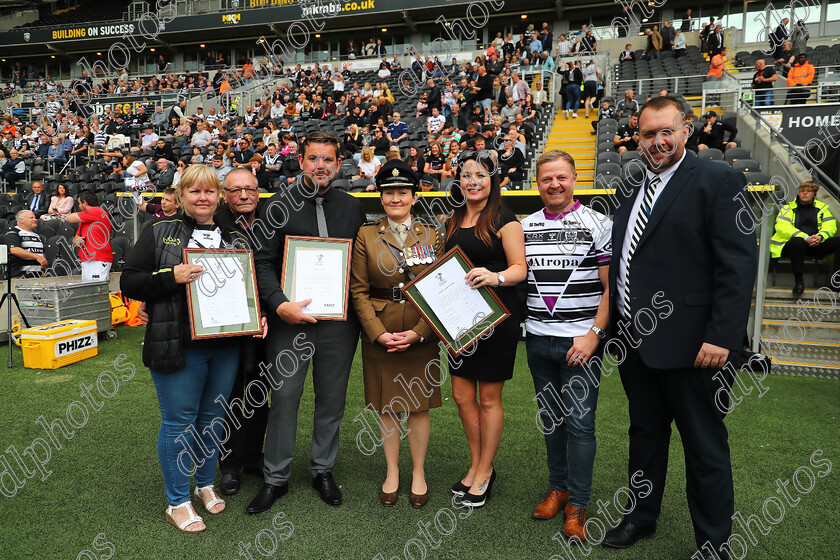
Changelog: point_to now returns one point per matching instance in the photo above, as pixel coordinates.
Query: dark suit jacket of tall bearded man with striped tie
(693, 267)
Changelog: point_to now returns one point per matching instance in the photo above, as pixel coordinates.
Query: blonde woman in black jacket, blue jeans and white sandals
(187, 374)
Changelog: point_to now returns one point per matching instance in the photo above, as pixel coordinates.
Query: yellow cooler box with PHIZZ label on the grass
(59, 344)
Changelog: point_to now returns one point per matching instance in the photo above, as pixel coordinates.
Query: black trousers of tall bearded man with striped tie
(686, 397)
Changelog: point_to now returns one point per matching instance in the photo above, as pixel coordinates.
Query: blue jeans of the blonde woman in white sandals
(189, 407)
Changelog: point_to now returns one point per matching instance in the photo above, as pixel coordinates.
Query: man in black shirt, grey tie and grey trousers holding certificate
(312, 208)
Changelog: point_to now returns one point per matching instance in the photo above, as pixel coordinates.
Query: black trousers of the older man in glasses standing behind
(247, 434)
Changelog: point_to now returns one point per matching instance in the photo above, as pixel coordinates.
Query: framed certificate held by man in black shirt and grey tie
(318, 268)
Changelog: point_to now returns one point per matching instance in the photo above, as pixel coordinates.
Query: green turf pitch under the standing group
(104, 496)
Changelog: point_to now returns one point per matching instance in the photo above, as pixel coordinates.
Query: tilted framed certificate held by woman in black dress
(457, 313)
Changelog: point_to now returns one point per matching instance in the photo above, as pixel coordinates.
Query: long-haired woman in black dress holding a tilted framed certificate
(493, 240)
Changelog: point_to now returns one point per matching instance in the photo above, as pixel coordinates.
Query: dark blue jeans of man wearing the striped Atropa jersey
(567, 398)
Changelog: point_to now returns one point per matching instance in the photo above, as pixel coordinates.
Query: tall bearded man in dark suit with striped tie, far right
(681, 281)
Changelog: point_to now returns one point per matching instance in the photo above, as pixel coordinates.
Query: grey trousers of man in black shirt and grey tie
(330, 345)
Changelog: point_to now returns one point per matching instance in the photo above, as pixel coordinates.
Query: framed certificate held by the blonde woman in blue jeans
(223, 300)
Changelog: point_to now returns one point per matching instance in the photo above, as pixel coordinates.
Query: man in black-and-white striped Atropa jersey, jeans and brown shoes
(568, 248)
